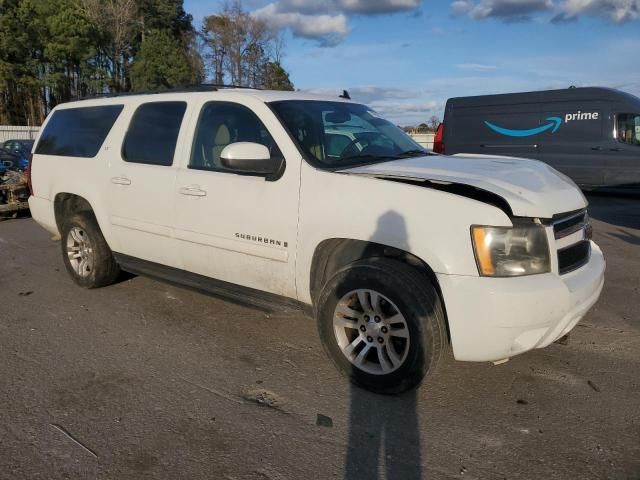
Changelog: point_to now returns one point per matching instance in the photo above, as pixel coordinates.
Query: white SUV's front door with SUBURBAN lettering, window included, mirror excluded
(238, 228)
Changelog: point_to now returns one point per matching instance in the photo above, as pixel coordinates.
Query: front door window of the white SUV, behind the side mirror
(221, 124)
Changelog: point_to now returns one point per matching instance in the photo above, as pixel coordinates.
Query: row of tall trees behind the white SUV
(54, 51)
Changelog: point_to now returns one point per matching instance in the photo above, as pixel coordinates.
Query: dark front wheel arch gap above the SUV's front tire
(334, 253)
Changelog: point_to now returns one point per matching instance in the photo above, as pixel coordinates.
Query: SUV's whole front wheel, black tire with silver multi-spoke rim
(392, 363)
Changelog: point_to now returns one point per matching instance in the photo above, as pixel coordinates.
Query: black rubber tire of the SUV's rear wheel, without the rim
(104, 270)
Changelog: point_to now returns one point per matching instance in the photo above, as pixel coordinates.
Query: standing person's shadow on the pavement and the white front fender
(384, 434)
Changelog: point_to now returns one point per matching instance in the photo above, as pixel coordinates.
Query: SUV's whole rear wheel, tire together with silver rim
(95, 267)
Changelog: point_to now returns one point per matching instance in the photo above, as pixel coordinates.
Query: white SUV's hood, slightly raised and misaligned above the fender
(531, 188)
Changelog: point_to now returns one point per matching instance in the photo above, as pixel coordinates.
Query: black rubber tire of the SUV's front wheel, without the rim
(417, 300)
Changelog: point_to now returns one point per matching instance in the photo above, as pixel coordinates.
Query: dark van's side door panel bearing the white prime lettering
(578, 148)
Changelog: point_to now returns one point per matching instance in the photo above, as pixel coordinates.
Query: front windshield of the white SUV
(339, 135)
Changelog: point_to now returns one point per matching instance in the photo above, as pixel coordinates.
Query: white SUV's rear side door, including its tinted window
(142, 180)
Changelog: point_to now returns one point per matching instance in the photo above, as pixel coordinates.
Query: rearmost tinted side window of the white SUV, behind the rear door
(78, 132)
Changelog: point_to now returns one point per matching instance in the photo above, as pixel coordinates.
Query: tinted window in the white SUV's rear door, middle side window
(153, 133)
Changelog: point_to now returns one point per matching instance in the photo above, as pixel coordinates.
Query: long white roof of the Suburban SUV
(223, 93)
